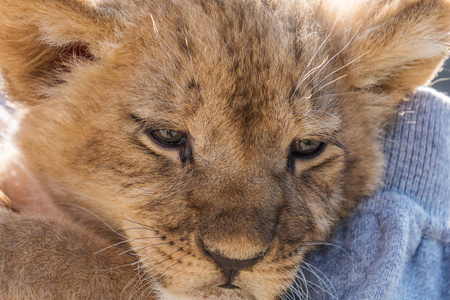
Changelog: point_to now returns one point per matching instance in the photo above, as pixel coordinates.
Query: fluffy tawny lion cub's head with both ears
(223, 139)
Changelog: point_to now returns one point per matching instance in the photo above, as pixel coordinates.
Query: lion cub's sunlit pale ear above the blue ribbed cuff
(396, 45)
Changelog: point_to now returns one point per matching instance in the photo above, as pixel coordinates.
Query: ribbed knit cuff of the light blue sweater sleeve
(417, 152)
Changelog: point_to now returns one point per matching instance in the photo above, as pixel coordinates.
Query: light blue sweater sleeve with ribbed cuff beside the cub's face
(396, 245)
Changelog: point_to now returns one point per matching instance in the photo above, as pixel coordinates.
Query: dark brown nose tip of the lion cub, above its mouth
(232, 267)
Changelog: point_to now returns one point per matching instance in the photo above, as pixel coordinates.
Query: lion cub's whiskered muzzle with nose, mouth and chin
(237, 262)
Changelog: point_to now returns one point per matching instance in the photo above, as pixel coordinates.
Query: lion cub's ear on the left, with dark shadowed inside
(42, 40)
